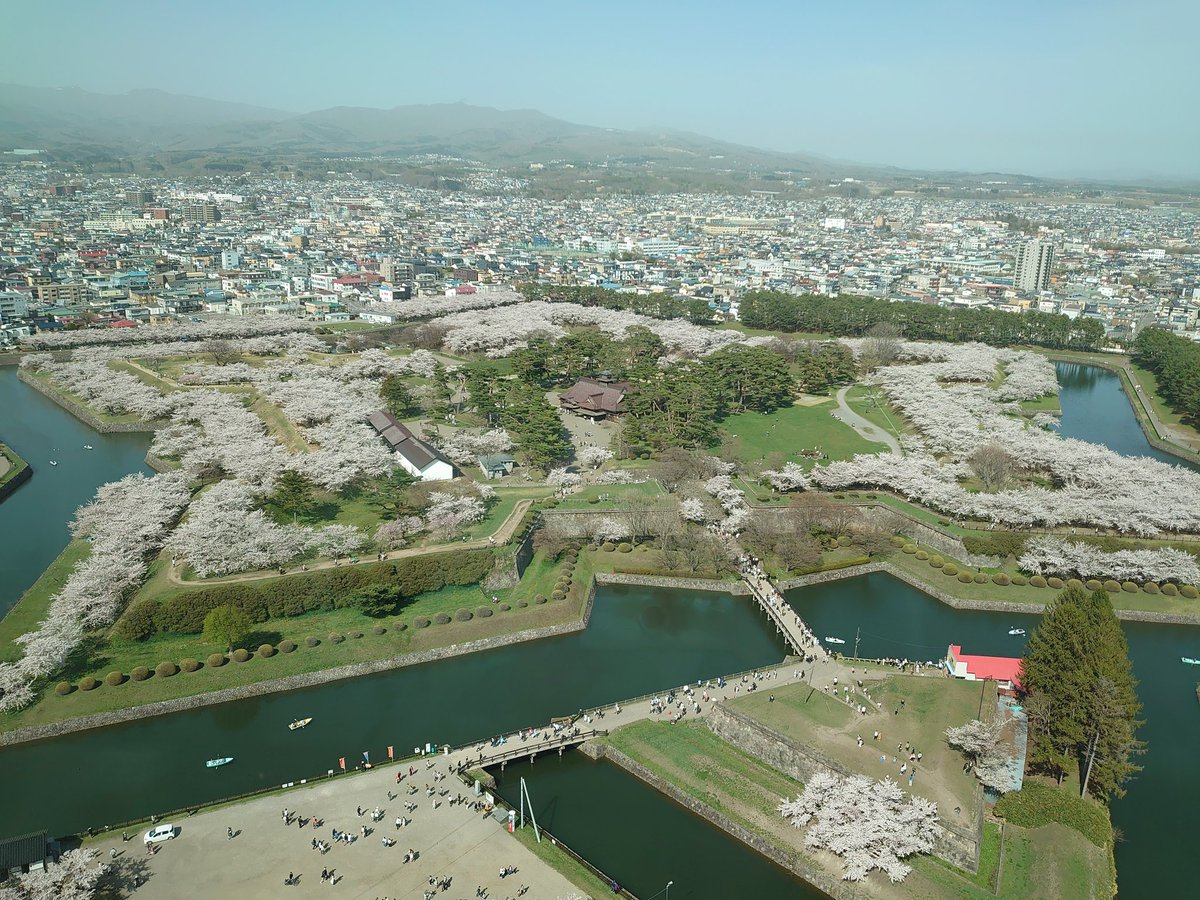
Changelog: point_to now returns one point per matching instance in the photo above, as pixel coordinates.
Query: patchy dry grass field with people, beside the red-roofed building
(927, 709)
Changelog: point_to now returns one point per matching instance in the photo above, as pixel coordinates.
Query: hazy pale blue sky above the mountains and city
(1043, 87)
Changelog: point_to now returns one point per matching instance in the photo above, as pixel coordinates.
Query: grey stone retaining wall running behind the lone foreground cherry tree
(957, 845)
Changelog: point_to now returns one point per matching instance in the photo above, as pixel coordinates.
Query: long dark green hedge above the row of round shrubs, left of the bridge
(307, 592)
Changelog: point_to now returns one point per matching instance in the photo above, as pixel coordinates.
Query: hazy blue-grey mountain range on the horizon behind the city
(74, 123)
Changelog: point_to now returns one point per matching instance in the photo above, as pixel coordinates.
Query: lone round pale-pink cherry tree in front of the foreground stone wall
(871, 825)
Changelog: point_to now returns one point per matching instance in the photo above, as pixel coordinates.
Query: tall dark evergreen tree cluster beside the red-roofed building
(1083, 703)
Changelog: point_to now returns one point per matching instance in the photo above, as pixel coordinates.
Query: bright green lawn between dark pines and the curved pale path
(779, 437)
